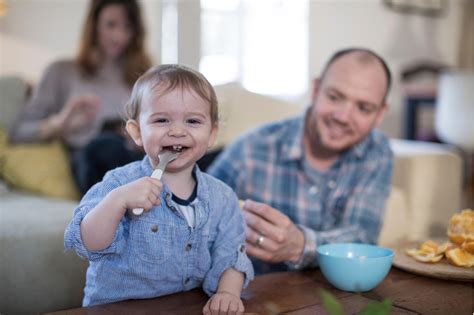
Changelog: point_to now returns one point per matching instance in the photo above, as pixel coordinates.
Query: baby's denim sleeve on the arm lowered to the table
(228, 250)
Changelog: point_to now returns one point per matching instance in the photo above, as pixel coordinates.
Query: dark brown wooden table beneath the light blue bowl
(298, 293)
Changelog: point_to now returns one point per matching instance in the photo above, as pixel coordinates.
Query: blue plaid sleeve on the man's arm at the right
(363, 212)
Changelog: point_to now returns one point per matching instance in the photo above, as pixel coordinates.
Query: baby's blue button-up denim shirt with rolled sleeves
(157, 253)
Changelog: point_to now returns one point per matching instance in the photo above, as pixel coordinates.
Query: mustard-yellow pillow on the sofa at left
(41, 168)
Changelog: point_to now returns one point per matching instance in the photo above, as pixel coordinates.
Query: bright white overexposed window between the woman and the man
(261, 44)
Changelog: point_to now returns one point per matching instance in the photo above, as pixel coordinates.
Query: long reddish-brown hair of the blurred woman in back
(135, 59)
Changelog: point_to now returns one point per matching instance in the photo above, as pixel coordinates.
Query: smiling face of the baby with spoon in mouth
(178, 120)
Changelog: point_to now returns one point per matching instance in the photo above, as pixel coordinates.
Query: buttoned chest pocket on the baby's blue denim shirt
(150, 241)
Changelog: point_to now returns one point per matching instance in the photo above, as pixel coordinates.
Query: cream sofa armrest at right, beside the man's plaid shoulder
(430, 177)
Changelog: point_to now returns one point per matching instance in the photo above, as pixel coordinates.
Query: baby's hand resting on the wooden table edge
(224, 303)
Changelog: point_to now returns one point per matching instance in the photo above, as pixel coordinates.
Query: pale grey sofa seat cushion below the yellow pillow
(36, 274)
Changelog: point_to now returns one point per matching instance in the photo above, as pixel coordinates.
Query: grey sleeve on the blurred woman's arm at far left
(47, 99)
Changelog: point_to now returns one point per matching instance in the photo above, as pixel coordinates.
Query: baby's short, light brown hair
(167, 78)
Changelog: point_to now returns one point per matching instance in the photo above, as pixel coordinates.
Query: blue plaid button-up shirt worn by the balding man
(343, 204)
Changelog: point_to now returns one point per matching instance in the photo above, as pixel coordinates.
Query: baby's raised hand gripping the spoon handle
(142, 193)
